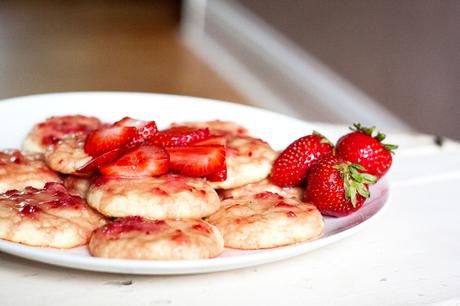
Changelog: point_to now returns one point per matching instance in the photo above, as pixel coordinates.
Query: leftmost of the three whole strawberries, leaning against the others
(291, 166)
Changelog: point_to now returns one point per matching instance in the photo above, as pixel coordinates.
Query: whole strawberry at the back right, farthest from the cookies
(362, 148)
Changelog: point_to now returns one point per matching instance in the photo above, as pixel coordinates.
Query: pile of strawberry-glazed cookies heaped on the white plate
(59, 195)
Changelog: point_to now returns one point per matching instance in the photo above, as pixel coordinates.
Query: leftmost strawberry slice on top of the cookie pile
(103, 140)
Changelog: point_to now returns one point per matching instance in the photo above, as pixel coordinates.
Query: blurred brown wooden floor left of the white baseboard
(48, 46)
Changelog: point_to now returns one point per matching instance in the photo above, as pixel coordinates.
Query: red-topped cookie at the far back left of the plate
(53, 129)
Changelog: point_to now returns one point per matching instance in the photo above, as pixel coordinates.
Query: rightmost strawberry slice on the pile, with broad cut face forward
(196, 160)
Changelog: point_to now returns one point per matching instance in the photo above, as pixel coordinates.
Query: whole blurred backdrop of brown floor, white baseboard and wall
(391, 63)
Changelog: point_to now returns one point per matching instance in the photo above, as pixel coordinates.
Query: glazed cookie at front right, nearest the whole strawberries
(266, 220)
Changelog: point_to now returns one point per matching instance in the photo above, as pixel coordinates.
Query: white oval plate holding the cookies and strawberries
(18, 115)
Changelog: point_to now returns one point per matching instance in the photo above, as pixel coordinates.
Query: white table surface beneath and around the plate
(409, 256)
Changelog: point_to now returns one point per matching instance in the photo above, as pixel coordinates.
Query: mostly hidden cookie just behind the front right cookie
(262, 186)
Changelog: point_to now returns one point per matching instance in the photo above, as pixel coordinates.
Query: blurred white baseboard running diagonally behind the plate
(272, 71)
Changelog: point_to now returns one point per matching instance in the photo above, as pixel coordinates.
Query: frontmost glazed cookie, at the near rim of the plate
(137, 238)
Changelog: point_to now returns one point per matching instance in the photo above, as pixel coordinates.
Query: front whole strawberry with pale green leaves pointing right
(336, 187)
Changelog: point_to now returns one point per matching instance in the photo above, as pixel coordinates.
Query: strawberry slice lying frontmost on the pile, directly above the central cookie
(143, 161)
